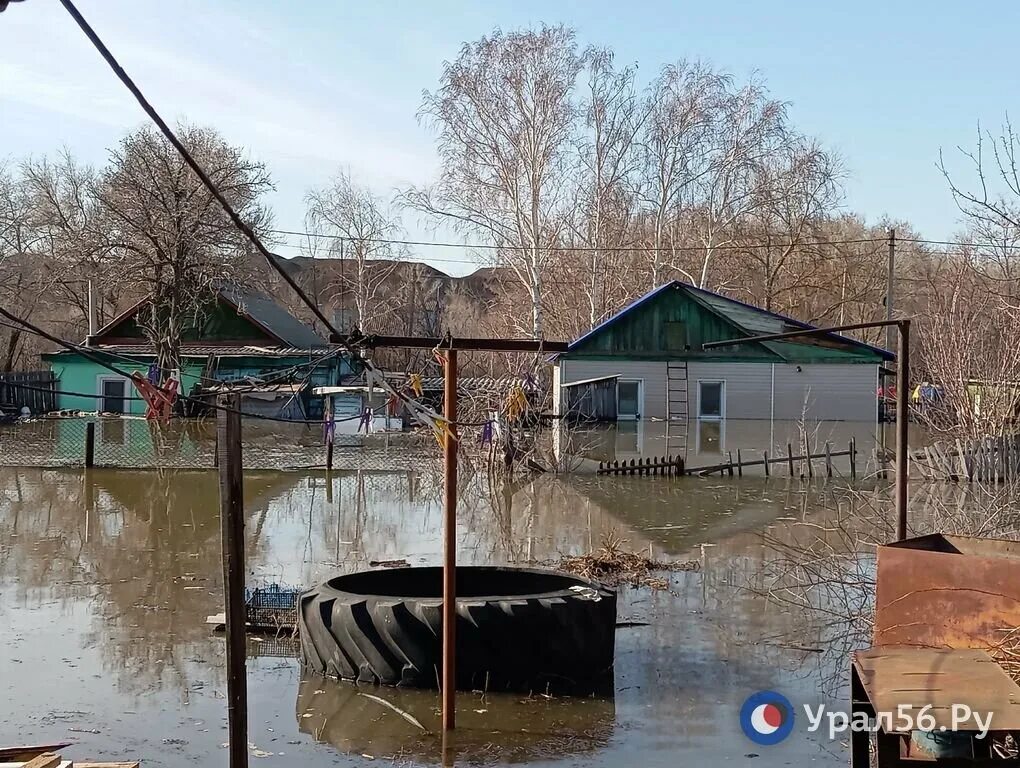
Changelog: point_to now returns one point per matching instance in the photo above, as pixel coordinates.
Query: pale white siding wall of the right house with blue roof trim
(822, 392)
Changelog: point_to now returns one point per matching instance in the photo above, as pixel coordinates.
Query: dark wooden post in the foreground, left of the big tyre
(232, 520)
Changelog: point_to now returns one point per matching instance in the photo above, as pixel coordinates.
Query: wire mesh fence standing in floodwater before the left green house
(191, 444)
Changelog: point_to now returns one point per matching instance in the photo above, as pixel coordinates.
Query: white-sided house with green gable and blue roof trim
(647, 363)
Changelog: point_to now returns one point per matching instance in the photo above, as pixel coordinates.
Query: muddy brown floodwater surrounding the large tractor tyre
(107, 583)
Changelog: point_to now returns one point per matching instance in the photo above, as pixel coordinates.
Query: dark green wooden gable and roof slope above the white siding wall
(676, 321)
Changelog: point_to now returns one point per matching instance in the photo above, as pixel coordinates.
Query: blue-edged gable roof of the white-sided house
(746, 318)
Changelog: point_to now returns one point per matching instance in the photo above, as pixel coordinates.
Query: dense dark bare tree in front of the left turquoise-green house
(169, 237)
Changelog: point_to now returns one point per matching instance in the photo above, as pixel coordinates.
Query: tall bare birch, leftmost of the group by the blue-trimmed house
(504, 116)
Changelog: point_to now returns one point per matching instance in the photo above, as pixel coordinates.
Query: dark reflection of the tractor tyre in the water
(491, 730)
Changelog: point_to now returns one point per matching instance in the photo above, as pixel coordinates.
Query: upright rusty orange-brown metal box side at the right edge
(948, 592)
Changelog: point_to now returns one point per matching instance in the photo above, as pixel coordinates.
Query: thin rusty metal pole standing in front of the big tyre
(450, 546)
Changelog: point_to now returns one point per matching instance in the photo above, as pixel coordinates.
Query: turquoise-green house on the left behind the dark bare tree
(242, 339)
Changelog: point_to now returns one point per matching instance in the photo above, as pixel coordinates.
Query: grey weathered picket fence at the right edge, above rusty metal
(983, 460)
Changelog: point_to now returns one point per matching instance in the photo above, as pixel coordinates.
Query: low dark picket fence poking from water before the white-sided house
(803, 466)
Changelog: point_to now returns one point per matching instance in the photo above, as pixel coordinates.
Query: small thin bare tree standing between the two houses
(362, 228)
